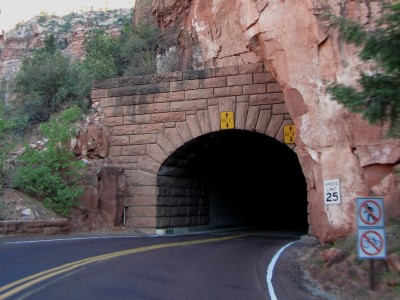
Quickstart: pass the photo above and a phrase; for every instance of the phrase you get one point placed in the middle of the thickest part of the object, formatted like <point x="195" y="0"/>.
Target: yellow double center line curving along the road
<point x="24" y="283"/>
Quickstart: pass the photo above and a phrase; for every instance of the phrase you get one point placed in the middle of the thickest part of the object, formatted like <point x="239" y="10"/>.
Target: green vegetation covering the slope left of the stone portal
<point x="51" y="91"/>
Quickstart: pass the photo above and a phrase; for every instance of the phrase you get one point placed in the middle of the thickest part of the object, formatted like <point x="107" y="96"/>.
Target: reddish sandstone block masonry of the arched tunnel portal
<point x="149" y="117"/>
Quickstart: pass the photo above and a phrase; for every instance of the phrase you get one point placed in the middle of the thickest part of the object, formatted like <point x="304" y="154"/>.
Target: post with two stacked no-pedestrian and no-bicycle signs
<point x="371" y="241"/>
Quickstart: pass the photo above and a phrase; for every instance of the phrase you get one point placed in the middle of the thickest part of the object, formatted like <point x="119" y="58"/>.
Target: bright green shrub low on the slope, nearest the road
<point x="53" y="174"/>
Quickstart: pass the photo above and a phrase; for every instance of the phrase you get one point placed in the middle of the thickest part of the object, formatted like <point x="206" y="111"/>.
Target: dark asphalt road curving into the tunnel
<point x="220" y="265"/>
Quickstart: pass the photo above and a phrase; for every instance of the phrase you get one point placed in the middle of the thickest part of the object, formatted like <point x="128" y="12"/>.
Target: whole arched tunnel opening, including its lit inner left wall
<point x="232" y="178"/>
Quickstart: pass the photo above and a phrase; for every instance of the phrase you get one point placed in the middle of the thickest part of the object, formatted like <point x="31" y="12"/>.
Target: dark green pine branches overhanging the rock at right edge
<point x="377" y="96"/>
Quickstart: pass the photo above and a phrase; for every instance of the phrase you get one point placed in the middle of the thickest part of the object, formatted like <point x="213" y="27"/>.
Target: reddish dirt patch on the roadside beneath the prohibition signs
<point x="335" y="271"/>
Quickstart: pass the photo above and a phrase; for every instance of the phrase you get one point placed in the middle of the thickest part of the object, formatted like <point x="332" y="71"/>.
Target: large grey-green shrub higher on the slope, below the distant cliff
<point x="44" y="83"/>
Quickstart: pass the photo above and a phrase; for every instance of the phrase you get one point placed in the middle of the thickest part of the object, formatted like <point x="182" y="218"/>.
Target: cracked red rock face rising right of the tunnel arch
<point x="305" y="54"/>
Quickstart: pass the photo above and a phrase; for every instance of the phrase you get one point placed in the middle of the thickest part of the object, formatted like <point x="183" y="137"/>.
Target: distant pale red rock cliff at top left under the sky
<point x="69" y="30"/>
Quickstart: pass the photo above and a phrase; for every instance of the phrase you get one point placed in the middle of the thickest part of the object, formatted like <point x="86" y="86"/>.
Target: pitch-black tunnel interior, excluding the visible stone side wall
<point x="250" y="179"/>
